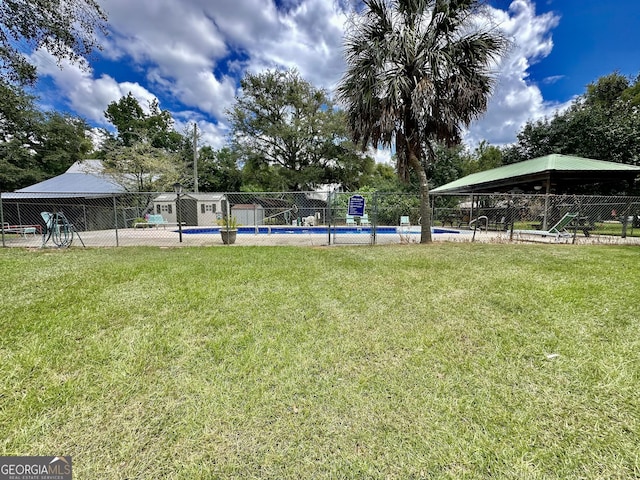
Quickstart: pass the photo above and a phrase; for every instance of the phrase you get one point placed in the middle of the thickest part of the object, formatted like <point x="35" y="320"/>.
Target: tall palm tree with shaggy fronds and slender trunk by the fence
<point x="418" y="72"/>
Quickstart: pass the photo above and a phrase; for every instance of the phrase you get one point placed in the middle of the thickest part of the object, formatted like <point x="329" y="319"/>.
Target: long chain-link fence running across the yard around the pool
<point x="308" y="218"/>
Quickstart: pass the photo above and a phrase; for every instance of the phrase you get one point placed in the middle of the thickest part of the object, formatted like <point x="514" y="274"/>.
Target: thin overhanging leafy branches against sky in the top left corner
<point x="67" y="29"/>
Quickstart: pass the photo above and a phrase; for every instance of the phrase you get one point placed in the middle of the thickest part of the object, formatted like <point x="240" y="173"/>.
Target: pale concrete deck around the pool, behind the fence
<point x="170" y="238"/>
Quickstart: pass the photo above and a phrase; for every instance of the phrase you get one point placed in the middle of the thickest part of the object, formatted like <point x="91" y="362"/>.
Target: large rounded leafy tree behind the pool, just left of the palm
<point x="289" y="135"/>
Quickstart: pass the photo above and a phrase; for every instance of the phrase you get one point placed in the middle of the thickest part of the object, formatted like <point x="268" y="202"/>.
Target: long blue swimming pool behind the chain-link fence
<point x="320" y="230"/>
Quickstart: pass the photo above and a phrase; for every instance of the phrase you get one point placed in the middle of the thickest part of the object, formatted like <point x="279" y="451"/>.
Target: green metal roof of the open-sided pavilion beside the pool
<point x="556" y="171"/>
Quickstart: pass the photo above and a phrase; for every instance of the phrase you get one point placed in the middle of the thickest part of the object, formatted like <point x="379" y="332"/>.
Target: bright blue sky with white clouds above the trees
<point x="191" y="54"/>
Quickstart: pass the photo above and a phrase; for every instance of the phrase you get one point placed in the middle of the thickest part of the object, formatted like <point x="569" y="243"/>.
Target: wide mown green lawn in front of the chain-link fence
<point x="445" y="361"/>
